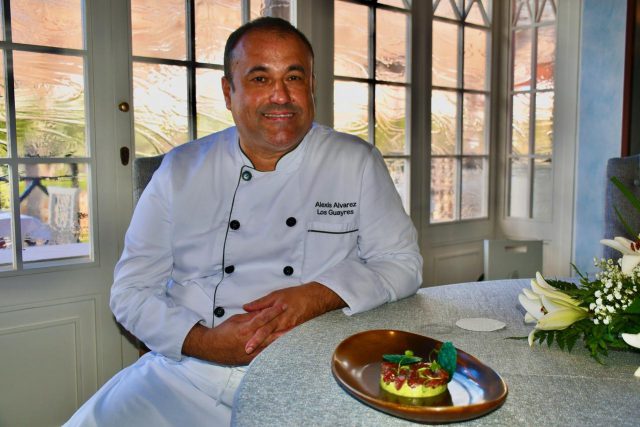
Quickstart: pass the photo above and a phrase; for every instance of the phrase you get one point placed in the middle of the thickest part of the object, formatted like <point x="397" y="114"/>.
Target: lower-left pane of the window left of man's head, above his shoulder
<point x="160" y="108"/>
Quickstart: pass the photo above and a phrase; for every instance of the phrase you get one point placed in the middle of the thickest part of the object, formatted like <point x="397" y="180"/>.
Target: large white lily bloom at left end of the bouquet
<point x="550" y="308"/>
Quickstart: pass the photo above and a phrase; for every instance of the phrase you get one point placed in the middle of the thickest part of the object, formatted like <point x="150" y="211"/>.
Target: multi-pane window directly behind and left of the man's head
<point x="178" y="48"/>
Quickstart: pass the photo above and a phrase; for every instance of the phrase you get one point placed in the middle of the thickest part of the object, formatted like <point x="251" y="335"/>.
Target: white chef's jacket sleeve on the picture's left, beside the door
<point x="138" y="295"/>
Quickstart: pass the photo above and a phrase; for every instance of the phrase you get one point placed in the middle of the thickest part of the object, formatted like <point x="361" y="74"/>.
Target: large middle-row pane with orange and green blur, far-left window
<point x="50" y="116"/>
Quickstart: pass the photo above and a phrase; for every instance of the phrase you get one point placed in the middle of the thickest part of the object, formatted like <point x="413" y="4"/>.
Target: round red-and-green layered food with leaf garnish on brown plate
<point x="408" y="375"/>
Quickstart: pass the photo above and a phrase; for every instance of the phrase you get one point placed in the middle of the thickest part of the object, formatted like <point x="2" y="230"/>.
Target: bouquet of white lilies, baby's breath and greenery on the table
<point x="604" y="312"/>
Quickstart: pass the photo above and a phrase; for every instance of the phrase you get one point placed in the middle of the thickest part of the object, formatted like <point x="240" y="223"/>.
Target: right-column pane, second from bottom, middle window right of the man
<point x="474" y="124"/>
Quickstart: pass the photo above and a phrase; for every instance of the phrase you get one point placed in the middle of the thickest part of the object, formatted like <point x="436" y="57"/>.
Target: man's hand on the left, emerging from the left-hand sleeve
<point x="226" y="344"/>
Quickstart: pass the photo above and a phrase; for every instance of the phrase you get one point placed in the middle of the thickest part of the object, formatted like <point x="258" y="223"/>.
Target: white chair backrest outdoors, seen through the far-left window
<point x="63" y="214"/>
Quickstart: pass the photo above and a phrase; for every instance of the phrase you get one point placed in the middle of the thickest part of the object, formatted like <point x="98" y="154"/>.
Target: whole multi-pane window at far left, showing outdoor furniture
<point x="45" y="148"/>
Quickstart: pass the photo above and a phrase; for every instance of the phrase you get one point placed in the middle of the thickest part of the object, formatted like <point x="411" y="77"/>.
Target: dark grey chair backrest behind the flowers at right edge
<point x="627" y="170"/>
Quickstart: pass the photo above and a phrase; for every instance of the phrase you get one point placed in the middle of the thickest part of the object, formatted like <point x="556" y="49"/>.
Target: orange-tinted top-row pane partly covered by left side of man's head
<point x="215" y="20"/>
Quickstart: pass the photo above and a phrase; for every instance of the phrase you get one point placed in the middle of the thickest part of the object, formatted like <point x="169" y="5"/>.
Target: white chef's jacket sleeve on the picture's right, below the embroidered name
<point x="388" y="265"/>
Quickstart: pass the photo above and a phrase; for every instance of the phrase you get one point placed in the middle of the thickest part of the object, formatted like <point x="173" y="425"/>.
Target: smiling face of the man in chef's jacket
<point x="272" y="95"/>
